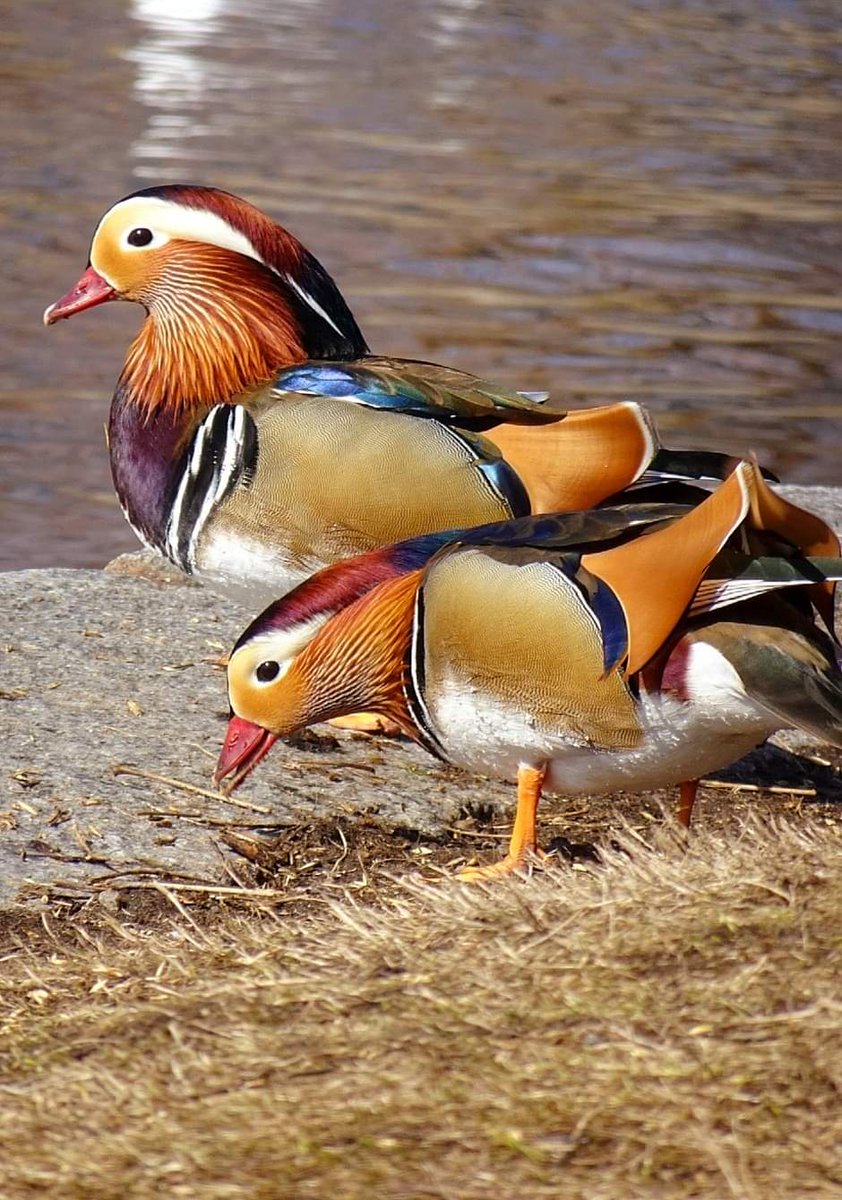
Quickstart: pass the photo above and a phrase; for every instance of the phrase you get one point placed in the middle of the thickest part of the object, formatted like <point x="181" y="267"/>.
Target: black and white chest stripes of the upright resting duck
<point x="222" y="454"/>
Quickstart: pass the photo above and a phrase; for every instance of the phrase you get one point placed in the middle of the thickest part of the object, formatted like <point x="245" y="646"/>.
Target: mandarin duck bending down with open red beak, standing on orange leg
<point x="620" y="650"/>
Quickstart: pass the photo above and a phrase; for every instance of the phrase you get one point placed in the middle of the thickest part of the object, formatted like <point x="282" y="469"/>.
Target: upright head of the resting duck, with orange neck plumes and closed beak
<point x="230" y="295"/>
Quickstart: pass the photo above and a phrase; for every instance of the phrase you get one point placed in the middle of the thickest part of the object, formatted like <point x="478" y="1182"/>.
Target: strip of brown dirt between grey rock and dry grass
<point x="303" y="866"/>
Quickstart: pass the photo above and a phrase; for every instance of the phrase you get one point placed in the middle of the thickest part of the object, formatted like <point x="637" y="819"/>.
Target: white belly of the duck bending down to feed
<point x="682" y="739"/>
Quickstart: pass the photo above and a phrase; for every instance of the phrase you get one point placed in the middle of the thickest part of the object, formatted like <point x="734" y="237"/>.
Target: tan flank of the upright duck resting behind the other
<point x="338" y="479"/>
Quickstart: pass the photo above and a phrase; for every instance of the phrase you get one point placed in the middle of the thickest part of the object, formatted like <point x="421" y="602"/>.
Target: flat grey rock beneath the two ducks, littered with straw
<point x="103" y="670"/>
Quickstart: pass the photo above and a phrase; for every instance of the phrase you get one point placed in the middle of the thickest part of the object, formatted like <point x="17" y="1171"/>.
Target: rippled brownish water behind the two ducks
<point x="610" y="200"/>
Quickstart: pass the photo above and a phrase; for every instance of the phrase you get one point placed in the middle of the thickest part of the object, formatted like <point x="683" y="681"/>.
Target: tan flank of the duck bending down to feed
<point x="503" y="632"/>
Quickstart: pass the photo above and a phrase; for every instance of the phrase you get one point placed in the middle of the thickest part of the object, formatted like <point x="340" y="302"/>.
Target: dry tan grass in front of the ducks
<point x="665" y="1025"/>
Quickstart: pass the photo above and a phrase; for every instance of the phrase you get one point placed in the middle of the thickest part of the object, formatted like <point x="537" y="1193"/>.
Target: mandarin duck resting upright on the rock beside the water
<point x="255" y="440"/>
